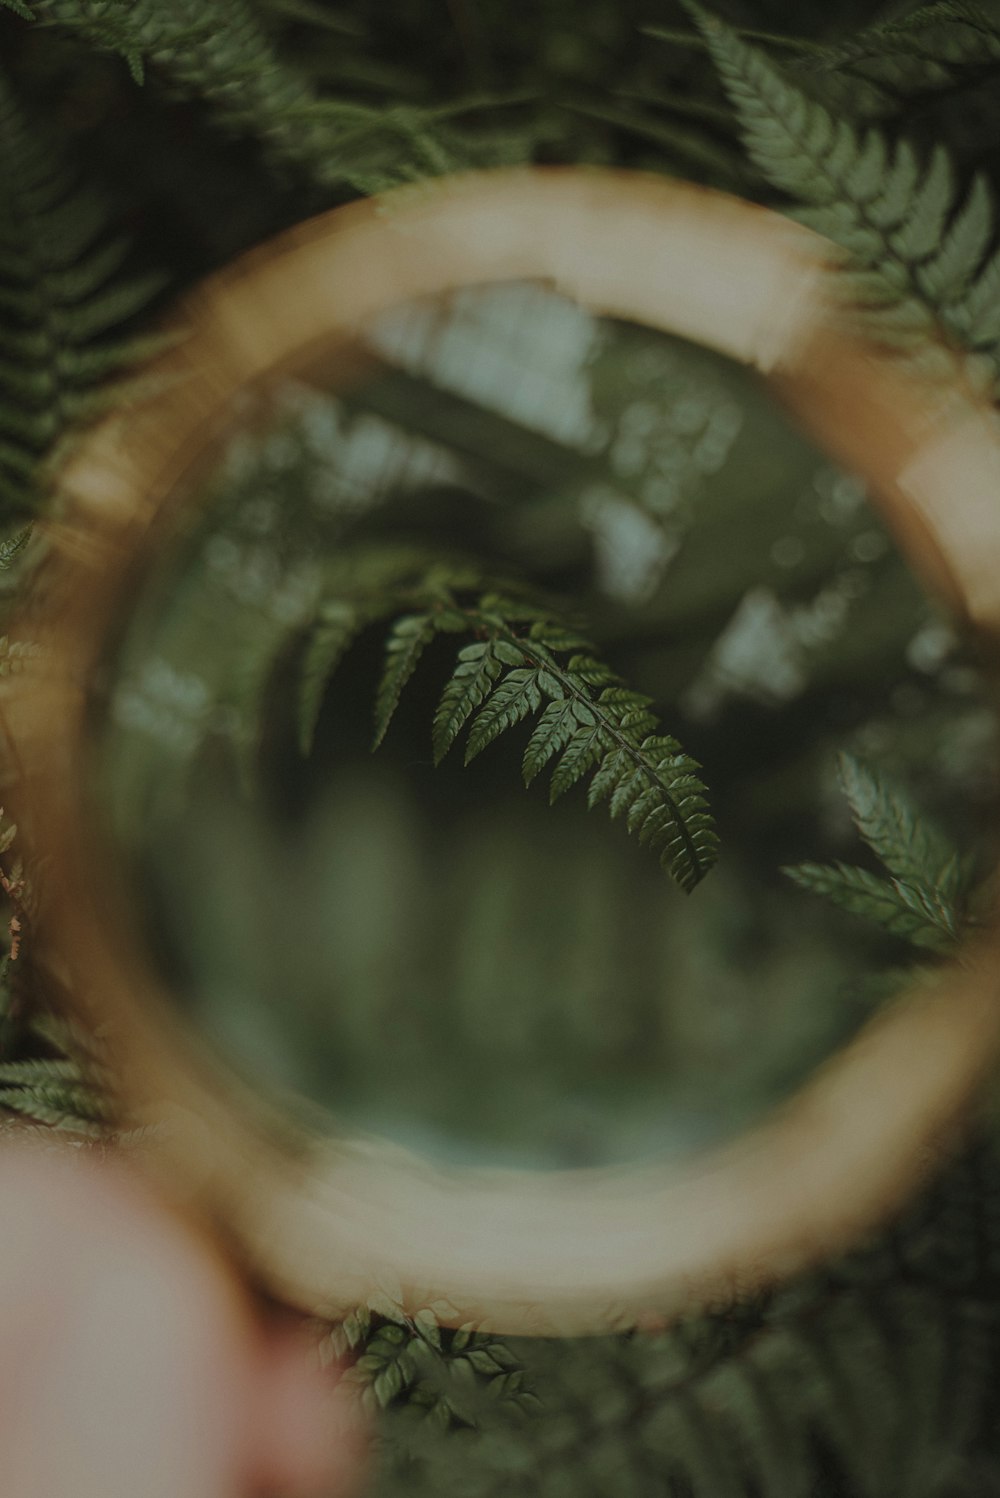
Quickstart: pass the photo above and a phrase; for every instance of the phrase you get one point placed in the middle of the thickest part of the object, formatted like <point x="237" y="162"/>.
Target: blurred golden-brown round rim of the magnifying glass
<point x="330" y="1225"/>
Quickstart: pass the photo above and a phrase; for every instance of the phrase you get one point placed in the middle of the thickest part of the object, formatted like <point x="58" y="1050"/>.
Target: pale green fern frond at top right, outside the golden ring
<point x="917" y="240"/>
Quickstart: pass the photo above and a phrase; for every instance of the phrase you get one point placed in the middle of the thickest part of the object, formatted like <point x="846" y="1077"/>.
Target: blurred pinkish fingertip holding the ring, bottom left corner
<point x="134" y="1364"/>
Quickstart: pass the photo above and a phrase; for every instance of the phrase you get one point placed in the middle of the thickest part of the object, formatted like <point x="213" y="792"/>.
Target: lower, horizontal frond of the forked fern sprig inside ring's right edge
<point x="902" y="910"/>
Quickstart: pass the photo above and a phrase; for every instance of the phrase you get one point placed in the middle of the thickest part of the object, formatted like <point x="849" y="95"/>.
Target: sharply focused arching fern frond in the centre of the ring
<point x="526" y="663"/>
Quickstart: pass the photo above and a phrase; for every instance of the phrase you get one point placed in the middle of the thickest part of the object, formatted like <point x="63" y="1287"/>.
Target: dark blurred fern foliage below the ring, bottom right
<point x="862" y="1380"/>
